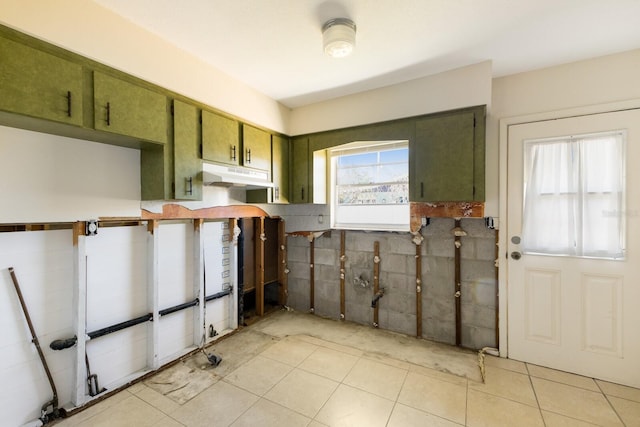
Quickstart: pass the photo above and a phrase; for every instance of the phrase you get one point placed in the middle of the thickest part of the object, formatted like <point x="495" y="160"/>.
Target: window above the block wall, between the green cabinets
<point x="370" y="185"/>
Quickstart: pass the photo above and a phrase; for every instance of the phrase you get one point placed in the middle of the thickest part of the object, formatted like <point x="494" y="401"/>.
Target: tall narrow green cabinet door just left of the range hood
<point x="187" y="179"/>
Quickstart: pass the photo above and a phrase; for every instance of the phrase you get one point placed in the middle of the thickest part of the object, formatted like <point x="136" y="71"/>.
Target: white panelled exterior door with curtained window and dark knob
<point x="574" y="313"/>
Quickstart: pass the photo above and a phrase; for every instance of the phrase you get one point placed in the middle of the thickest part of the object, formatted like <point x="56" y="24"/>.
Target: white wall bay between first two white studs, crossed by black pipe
<point x="117" y="292"/>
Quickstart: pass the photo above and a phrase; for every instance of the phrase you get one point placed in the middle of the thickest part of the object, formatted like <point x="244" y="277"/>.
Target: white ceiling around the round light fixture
<point x="275" y="46"/>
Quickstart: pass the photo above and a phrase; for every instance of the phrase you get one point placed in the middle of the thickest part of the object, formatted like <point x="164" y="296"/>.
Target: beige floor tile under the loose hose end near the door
<point x="508" y="384"/>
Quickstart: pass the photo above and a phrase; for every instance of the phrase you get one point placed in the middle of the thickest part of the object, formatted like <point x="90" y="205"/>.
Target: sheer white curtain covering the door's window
<point x="574" y="196"/>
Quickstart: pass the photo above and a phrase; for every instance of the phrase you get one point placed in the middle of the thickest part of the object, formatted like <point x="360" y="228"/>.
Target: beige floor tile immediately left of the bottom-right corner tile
<point x="574" y="402"/>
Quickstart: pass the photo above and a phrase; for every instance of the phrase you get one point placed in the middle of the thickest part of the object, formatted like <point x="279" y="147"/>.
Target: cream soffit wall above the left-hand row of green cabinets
<point x="86" y="28"/>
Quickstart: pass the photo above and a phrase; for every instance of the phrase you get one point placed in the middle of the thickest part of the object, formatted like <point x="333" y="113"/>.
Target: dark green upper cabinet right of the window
<point x="447" y="158"/>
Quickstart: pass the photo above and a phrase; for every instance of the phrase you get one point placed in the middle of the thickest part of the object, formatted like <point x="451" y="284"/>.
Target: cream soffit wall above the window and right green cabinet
<point x="462" y="87"/>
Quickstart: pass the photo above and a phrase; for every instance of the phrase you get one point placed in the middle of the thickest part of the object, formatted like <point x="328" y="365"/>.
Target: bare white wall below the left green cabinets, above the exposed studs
<point x="47" y="178"/>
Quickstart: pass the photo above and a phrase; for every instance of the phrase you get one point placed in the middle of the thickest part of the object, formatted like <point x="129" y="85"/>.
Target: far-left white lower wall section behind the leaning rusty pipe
<point x="42" y="262"/>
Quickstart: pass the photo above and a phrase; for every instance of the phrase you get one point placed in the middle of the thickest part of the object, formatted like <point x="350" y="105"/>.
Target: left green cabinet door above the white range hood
<point x="220" y="139"/>
